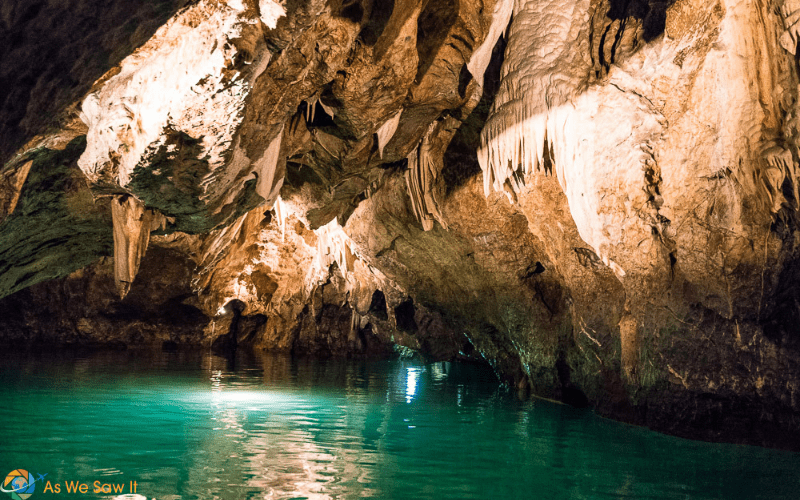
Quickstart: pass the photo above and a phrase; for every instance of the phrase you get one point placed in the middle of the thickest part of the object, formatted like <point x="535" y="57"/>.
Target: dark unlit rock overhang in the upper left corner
<point x="54" y="50"/>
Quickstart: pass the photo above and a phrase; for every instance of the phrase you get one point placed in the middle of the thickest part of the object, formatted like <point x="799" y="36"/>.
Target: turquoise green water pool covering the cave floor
<point x="188" y="426"/>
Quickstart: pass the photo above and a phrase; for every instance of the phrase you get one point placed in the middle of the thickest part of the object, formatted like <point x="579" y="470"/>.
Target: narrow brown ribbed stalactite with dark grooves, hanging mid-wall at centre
<point x="421" y="176"/>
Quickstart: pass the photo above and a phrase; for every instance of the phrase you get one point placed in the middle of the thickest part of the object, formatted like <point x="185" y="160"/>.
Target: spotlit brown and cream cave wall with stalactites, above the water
<point x="597" y="198"/>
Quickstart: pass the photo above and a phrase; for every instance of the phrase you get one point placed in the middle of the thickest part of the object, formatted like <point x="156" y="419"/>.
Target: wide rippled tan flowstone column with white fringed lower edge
<point x="541" y="72"/>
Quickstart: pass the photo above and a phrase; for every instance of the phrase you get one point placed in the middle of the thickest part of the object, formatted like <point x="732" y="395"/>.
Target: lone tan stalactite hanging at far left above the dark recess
<point x="132" y="226"/>
